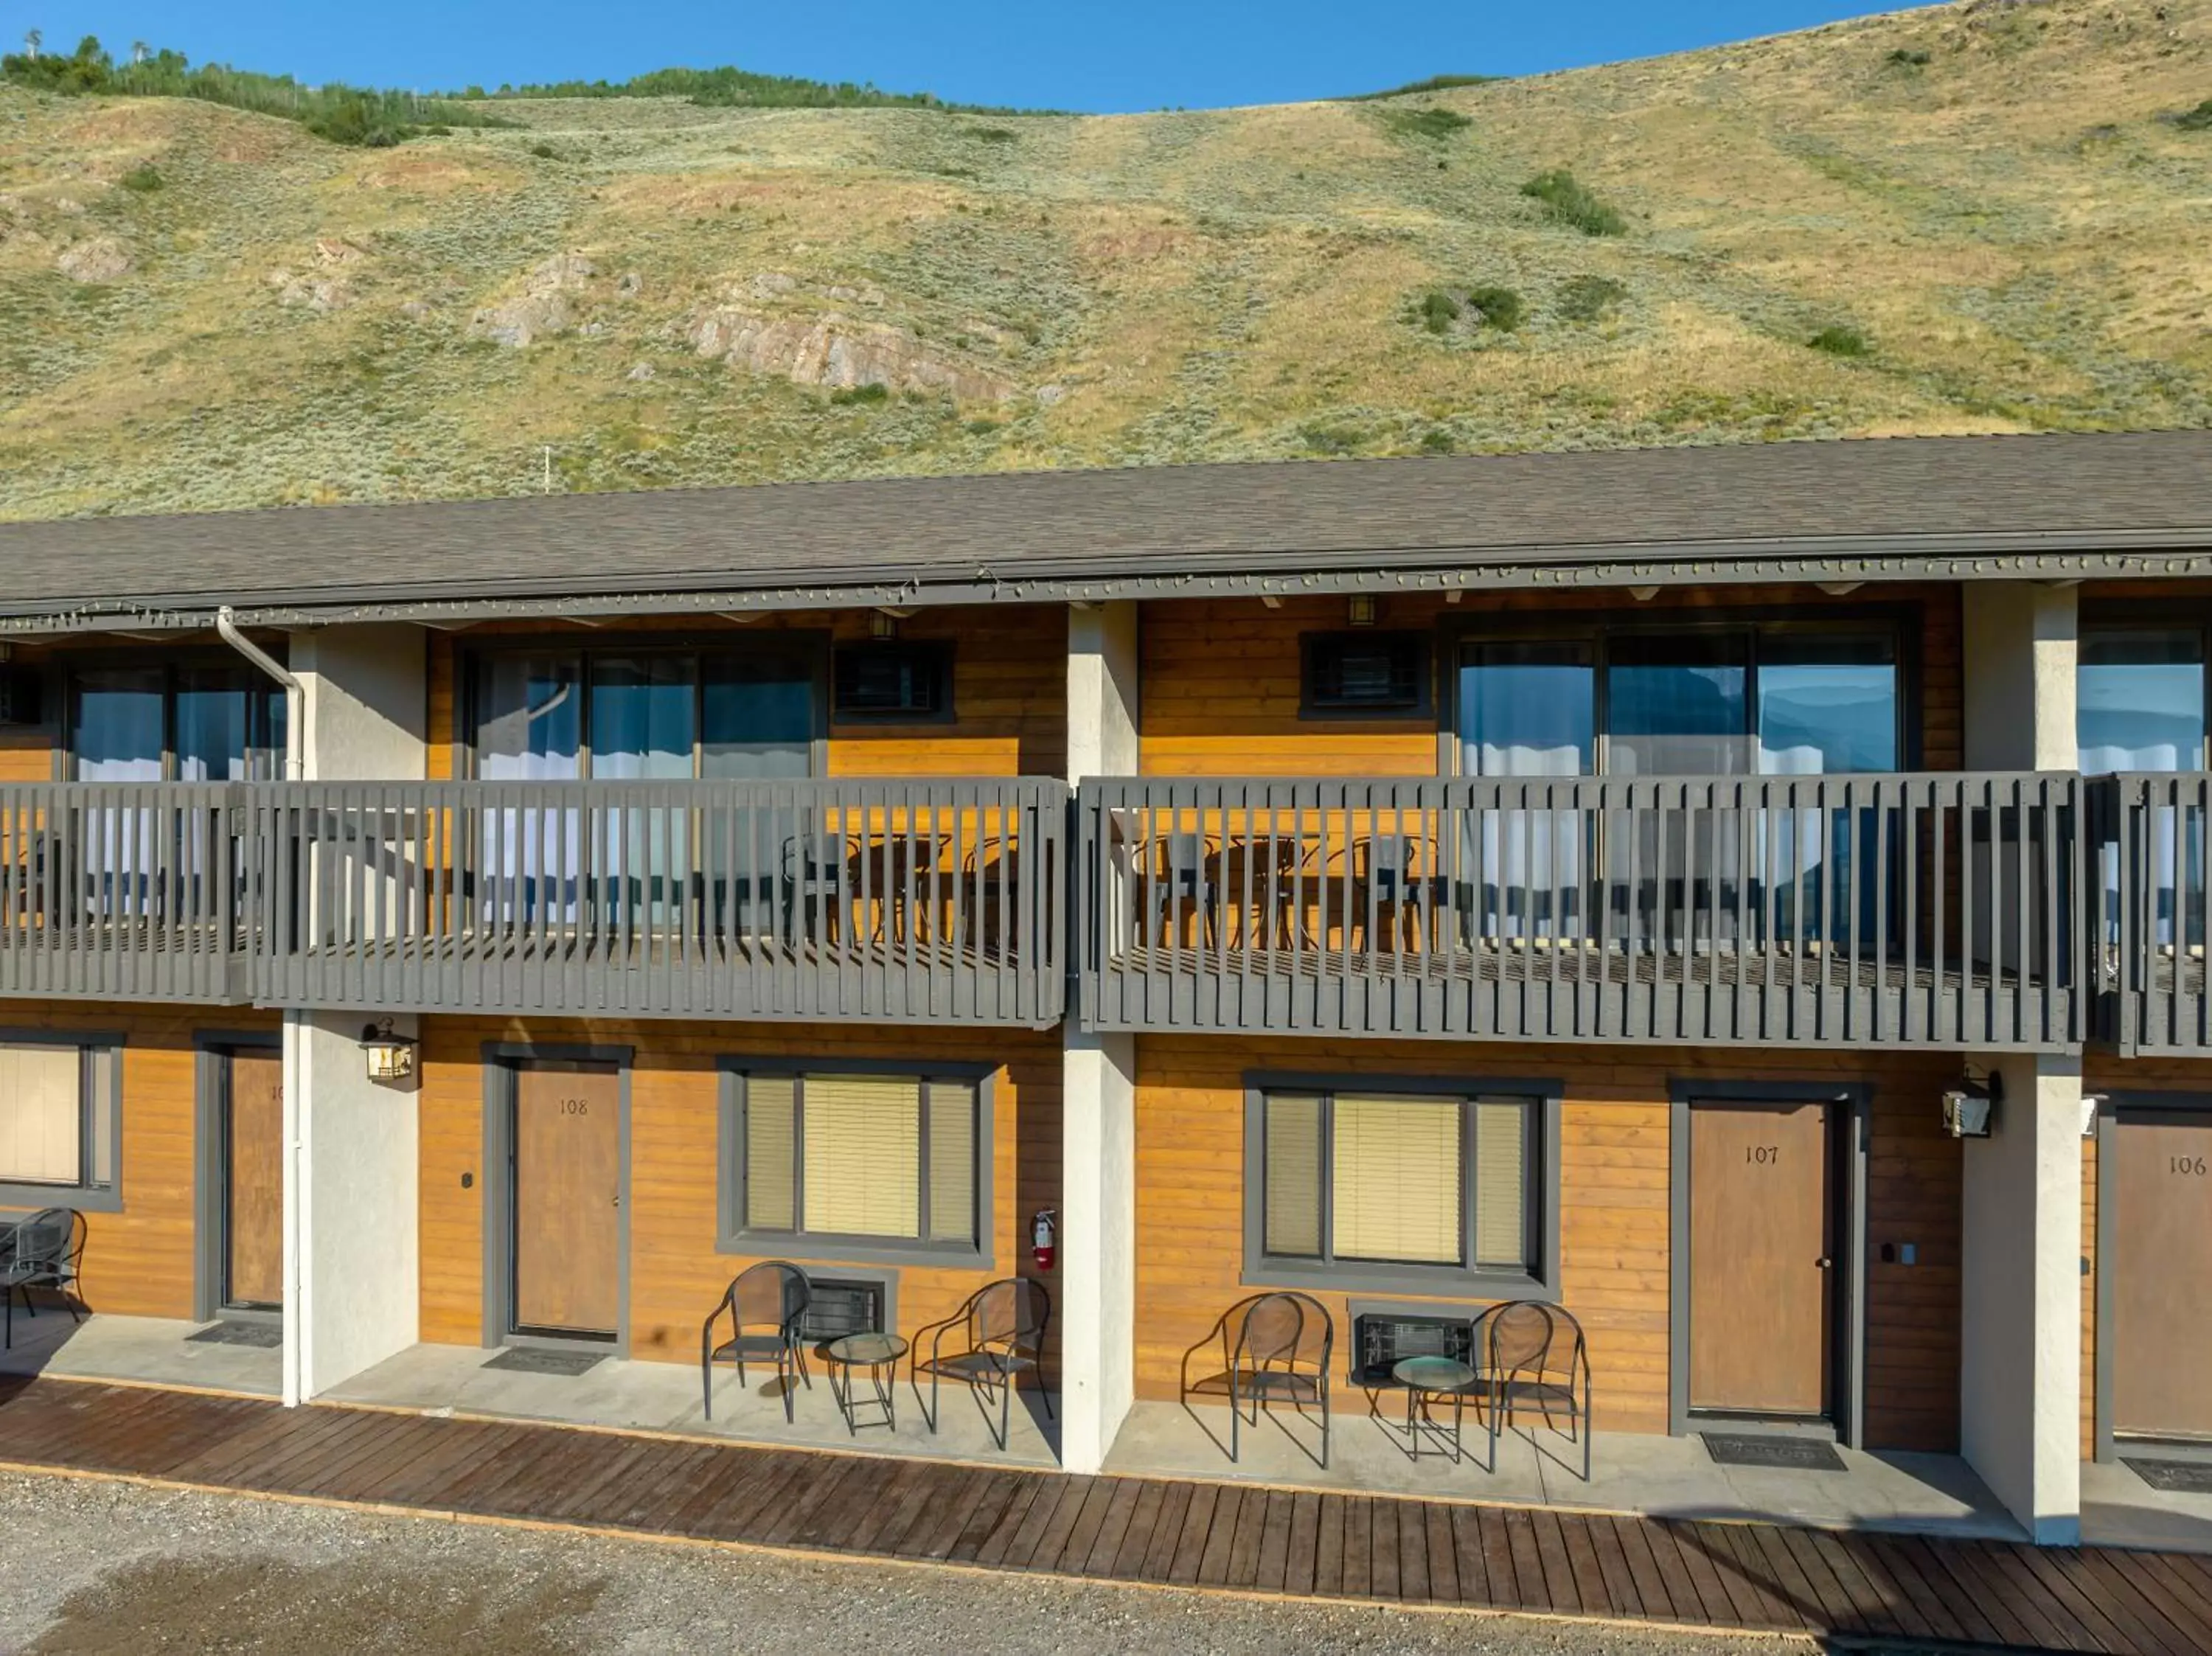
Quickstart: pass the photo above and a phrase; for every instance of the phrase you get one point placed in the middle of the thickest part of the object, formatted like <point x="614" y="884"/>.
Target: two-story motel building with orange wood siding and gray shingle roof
<point x="1749" y="901"/>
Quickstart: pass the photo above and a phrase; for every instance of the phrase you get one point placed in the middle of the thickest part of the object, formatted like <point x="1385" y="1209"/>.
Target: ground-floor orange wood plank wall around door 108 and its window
<point x="676" y="1270"/>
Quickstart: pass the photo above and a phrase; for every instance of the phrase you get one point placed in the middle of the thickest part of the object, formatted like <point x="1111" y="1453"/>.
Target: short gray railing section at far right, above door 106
<point x="2156" y="841"/>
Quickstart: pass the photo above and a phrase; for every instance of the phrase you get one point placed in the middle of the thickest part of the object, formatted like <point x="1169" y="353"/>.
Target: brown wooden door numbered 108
<point x="567" y="1186"/>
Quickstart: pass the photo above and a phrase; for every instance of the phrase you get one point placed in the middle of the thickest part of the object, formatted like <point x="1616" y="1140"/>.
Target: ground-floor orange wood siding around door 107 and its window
<point x="1614" y="1193"/>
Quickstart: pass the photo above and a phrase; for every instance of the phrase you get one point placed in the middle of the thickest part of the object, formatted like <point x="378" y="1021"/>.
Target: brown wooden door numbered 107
<point x="1762" y="1259"/>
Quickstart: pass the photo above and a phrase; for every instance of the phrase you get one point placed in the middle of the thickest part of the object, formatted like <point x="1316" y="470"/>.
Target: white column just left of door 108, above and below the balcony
<point x="351" y="1186"/>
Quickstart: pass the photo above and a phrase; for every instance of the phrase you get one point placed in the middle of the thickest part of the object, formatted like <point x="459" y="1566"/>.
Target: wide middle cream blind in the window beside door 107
<point x="1397" y="1180"/>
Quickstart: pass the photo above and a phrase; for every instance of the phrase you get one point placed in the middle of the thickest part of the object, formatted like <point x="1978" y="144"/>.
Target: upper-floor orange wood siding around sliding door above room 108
<point x="1010" y="689"/>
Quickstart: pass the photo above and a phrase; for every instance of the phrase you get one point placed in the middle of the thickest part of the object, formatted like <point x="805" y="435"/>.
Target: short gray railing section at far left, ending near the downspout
<point x="123" y="892"/>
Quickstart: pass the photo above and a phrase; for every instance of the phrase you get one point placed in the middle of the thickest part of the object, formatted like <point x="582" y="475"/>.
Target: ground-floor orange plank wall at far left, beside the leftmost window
<point x="140" y="1261"/>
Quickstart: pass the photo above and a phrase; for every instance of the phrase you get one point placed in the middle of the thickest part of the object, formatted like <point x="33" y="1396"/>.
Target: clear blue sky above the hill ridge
<point x="1061" y="54"/>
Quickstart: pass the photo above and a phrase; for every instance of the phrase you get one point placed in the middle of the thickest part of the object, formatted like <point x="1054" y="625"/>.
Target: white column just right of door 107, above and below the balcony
<point x="2021" y="1270"/>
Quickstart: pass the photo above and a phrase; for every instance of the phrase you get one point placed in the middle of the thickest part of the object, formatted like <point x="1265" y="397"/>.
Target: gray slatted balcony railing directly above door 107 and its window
<point x="1755" y="910"/>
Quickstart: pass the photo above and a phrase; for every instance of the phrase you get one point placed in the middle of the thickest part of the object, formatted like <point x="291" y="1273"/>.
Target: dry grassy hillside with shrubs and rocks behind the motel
<point x="1990" y="216"/>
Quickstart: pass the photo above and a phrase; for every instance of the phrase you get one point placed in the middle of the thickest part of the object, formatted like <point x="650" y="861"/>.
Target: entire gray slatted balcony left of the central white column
<point x="897" y="901"/>
